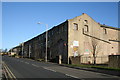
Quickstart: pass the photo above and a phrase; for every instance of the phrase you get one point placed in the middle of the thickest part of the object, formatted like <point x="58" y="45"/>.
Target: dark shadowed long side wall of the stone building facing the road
<point x="57" y="44"/>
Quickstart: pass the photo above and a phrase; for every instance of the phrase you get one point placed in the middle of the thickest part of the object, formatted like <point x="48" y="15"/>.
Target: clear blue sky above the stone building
<point x="19" y="19"/>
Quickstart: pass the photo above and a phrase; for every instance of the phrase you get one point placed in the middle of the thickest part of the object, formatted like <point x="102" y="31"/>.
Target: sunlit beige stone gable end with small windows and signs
<point x="92" y="40"/>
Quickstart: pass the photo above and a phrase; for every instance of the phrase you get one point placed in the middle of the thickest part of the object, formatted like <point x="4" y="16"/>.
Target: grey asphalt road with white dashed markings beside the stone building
<point x="26" y="68"/>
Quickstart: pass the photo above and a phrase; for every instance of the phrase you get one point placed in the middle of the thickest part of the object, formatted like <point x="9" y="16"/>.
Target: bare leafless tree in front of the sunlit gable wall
<point x="95" y="49"/>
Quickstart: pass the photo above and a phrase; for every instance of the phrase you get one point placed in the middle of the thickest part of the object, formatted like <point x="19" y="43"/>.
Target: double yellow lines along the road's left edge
<point x="7" y="72"/>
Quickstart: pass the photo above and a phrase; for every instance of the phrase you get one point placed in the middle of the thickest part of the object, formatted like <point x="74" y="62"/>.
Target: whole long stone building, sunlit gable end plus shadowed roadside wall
<point x="77" y="40"/>
